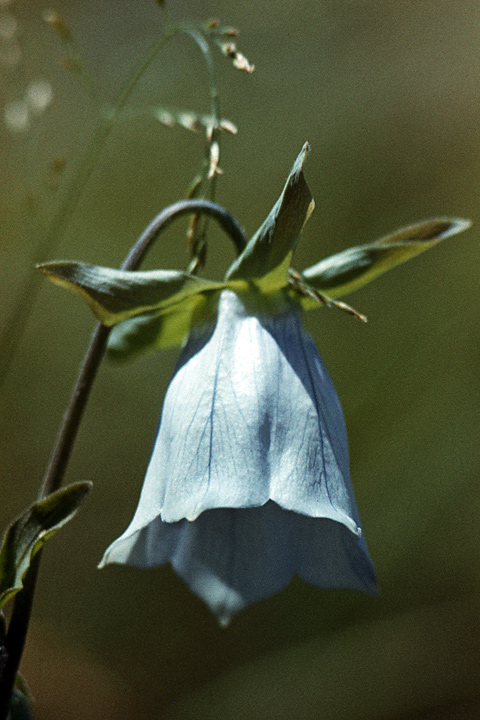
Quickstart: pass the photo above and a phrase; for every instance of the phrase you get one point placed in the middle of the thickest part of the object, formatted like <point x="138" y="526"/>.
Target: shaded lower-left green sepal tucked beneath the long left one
<point x="156" y="332"/>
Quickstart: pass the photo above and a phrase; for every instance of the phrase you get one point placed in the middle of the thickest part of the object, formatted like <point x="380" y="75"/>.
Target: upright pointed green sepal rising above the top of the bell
<point x="268" y="254"/>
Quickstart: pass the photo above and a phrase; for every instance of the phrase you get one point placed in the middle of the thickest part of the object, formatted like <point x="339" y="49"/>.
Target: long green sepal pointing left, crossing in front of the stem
<point x="116" y="295"/>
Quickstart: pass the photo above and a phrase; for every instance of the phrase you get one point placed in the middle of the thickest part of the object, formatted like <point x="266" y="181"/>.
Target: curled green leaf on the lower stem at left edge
<point x="28" y="533"/>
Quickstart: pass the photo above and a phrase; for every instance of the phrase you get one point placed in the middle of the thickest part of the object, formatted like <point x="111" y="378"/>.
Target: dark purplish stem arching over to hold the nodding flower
<point x="18" y="627"/>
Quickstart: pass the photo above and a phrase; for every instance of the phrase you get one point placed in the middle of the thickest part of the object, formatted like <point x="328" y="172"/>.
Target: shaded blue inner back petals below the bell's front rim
<point x="232" y="558"/>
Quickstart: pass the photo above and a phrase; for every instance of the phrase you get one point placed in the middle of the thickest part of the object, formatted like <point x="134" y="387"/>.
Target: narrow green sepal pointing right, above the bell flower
<point x="349" y="270"/>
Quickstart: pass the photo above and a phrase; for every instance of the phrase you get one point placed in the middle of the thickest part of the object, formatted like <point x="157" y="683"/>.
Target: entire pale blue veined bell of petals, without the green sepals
<point x="249" y="481"/>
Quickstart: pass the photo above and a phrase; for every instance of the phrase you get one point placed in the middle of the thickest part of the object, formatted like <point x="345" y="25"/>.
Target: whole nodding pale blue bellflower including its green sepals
<point x="248" y="483"/>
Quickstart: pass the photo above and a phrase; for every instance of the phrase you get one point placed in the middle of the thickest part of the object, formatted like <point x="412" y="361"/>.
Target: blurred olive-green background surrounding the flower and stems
<point x="388" y="95"/>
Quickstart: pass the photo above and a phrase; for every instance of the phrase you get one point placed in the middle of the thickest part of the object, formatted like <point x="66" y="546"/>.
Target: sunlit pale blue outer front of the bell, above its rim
<point x="250" y="415"/>
